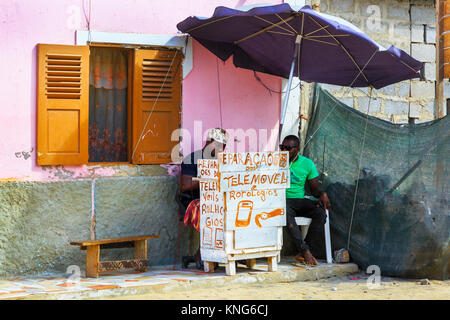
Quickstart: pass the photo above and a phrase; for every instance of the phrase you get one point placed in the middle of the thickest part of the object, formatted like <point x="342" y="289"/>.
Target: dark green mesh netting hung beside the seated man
<point x="401" y="219"/>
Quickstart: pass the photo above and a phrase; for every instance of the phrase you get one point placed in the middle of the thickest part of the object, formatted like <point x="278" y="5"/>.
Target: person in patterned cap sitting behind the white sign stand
<point x="190" y="193"/>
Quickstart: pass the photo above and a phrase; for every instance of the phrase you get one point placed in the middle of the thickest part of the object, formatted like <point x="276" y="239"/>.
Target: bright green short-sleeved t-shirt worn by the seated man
<point x="302" y="169"/>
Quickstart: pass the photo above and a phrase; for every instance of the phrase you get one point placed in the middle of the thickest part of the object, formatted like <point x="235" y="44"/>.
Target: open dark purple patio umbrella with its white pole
<point x="313" y="46"/>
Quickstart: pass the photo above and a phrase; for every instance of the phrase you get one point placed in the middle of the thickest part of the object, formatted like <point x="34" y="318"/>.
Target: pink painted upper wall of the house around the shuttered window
<point x="23" y="24"/>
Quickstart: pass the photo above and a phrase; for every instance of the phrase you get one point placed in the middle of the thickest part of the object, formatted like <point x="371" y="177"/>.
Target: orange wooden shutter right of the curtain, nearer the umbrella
<point x="156" y="94"/>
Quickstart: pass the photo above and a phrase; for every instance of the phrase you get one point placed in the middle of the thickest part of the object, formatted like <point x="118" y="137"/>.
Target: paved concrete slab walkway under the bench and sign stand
<point x="161" y="279"/>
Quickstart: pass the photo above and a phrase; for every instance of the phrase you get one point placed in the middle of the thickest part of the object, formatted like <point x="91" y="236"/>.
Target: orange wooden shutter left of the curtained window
<point x="62" y="104"/>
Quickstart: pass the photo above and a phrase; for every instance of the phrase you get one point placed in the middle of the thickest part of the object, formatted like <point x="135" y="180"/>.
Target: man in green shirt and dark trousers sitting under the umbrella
<point x="303" y="170"/>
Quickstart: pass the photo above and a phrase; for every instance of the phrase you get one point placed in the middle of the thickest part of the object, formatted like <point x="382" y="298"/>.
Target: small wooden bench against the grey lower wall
<point x="92" y="247"/>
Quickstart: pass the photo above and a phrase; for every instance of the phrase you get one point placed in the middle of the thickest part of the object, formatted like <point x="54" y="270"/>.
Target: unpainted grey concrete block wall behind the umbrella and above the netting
<point x="409" y="25"/>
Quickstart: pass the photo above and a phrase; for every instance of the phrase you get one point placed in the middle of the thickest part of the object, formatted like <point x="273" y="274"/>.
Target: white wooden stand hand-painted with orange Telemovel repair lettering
<point x="243" y="208"/>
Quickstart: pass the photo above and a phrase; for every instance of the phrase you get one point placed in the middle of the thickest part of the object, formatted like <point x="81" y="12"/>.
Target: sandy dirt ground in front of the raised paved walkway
<point x="352" y="287"/>
